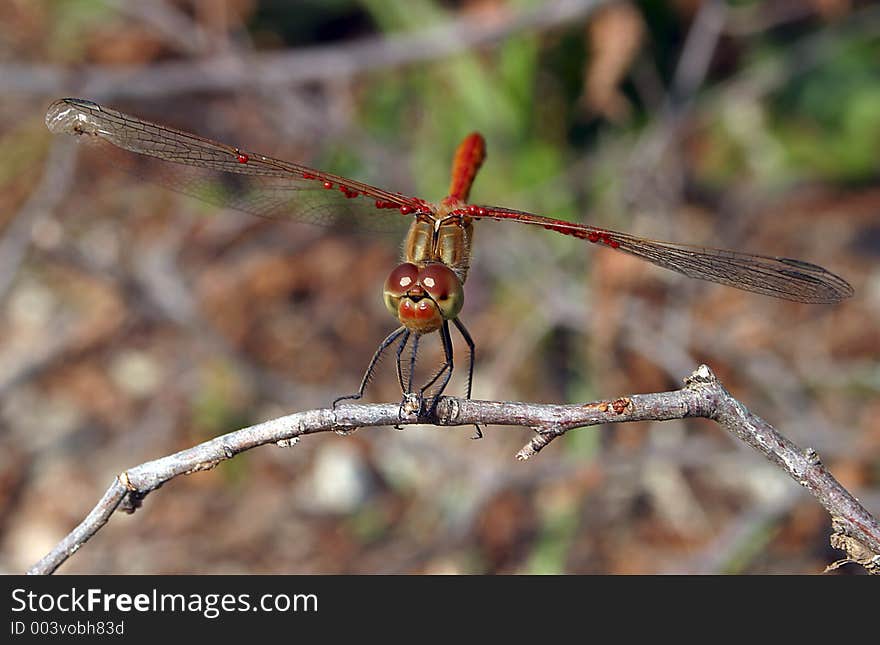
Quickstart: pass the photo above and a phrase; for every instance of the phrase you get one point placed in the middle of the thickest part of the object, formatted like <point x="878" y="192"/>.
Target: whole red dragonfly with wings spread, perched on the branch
<point x="425" y="292"/>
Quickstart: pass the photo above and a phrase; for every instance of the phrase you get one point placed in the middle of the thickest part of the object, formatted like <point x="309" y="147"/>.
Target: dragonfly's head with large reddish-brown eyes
<point x="422" y="298"/>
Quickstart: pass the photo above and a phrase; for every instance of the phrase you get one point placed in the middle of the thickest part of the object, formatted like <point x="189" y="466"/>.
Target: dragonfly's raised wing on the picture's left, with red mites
<point x="228" y="176"/>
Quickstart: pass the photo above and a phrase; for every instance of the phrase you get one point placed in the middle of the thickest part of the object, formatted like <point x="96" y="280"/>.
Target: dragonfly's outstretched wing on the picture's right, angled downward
<point x="772" y="276"/>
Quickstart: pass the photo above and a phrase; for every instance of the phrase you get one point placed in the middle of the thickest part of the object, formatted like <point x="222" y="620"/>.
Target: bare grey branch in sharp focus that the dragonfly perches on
<point x="855" y="530"/>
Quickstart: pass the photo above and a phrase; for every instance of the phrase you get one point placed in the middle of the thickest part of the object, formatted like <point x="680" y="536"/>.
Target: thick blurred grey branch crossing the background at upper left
<point x="290" y="68"/>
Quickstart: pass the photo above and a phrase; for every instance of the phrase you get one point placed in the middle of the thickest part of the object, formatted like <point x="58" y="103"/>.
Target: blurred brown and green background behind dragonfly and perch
<point x="136" y="322"/>
